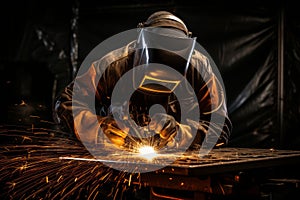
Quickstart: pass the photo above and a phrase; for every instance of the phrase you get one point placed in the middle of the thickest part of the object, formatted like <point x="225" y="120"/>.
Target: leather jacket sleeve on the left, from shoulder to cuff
<point x="87" y="111"/>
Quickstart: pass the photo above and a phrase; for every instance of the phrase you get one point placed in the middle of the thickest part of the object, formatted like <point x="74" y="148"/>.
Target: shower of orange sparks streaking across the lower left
<point x="31" y="167"/>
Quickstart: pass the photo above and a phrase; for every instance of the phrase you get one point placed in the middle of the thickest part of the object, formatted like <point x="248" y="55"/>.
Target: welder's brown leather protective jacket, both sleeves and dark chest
<point x="110" y="68"/>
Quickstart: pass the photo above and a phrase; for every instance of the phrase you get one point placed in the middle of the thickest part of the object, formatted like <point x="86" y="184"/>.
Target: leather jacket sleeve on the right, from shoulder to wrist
<point x="212" y="102"/>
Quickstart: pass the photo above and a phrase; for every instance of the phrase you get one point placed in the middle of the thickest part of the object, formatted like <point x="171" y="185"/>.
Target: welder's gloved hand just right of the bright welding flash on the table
<point x="165" y="126"/>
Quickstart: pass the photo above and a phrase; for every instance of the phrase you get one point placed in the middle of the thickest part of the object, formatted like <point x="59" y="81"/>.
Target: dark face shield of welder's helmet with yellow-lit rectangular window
<point x="161" y="60"/>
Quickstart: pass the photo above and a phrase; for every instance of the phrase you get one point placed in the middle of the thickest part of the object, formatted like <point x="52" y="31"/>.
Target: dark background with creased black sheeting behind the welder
<point x="255" y="45"/>
